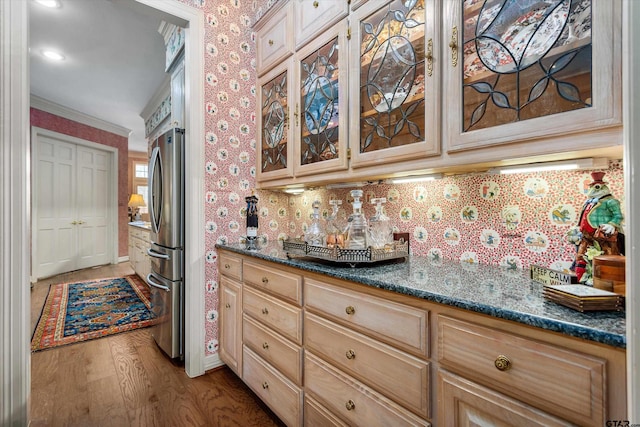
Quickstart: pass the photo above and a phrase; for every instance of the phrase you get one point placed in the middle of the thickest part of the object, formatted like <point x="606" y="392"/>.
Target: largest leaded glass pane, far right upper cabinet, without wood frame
<point x="524" y="59"/>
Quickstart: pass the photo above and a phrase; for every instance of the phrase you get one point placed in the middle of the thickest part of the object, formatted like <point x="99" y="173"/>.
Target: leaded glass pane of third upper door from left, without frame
<point x="392" y="55"/>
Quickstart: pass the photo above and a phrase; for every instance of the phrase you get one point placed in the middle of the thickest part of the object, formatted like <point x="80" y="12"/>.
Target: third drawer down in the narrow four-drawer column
<point x="280" y="352"/>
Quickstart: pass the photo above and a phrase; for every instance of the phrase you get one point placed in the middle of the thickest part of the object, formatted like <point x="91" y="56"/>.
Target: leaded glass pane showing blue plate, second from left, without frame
<point x="319" y="100"/>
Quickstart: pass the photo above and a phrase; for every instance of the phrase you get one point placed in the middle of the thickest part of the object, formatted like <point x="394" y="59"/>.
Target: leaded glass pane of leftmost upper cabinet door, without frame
<point x="274" y="124"/>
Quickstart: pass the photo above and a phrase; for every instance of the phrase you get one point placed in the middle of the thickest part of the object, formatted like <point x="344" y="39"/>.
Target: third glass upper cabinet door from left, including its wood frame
<point x="393" y="82"/>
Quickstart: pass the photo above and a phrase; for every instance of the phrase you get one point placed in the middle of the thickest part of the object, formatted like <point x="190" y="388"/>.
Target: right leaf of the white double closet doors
<point x="93" y="207"/>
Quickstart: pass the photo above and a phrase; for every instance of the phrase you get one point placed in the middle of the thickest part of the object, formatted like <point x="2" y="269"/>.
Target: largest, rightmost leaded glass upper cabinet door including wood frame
<point x="518" y="70"/>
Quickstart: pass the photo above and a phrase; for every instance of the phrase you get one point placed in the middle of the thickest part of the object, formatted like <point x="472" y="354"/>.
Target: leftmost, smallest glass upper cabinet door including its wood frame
<point x="275" y="151"/>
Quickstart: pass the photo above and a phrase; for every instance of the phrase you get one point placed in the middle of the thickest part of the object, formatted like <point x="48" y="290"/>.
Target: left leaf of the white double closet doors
<point x="55" y="191"/>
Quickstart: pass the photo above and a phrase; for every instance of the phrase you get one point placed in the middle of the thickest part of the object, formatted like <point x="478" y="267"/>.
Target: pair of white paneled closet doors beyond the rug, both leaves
<point x="74" y="203"/>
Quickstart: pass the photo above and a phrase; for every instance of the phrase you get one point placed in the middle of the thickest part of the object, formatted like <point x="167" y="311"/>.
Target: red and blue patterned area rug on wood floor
<point x="75" y="312"/>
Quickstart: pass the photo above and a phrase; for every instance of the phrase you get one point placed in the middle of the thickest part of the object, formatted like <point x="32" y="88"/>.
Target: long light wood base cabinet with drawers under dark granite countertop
<point x="322" y="351"/>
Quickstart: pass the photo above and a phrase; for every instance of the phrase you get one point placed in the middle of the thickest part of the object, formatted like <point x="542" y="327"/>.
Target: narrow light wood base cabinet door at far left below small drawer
<point x="231" y="324"/>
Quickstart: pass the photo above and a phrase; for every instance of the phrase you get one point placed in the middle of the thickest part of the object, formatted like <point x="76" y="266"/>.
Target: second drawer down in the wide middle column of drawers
<point x="397" y="375"/>
